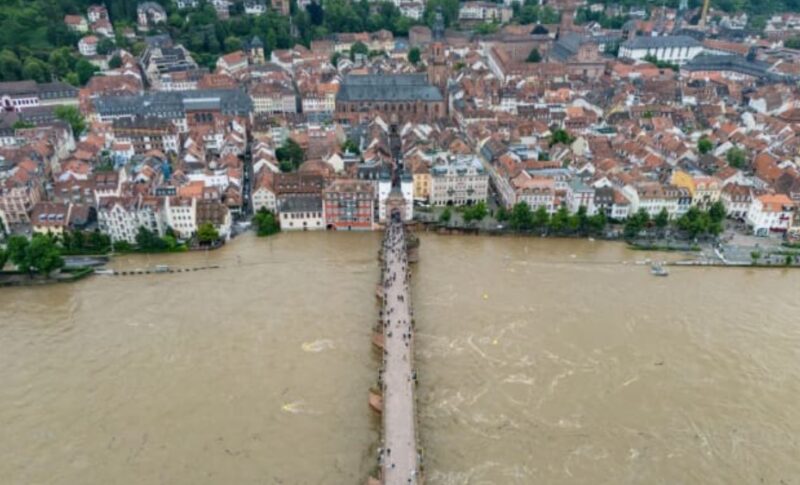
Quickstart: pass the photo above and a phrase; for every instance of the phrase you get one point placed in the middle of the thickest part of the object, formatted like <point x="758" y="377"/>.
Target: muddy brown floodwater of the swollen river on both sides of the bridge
<point x="540" y="361"/>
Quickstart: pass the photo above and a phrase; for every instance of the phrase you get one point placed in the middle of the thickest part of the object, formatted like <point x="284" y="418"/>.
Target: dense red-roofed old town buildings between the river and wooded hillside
<point x="659" y="115"/>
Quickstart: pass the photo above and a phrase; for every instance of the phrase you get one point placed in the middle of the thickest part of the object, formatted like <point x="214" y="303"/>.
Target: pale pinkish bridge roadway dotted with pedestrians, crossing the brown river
<point x="399" y="456"/>
